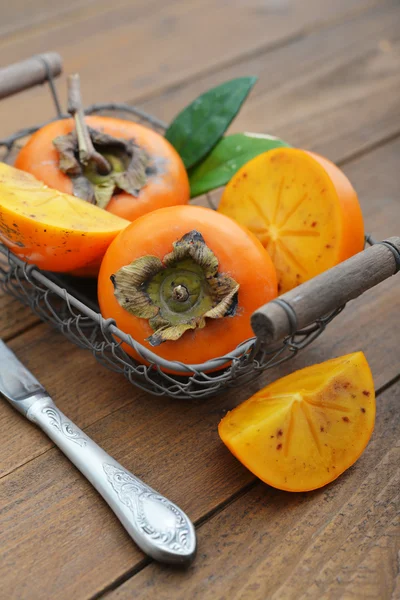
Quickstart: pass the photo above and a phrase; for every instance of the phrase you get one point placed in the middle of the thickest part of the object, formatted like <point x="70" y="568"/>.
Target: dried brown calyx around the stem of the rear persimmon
<point x="128" y="162"/>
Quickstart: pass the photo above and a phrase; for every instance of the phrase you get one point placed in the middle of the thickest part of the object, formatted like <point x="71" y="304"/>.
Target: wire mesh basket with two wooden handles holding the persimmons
<point x="70" y="304"/>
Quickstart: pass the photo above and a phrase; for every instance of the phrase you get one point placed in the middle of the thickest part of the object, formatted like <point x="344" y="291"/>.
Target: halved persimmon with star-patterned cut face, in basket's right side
<point x="301" y="207"/>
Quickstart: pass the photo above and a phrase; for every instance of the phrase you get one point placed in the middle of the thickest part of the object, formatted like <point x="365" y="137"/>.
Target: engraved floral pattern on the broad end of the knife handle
<point x="140" y="499"/>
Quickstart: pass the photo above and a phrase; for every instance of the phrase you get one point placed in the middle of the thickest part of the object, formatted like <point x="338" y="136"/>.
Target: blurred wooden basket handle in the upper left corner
<point x="27" y="73"/>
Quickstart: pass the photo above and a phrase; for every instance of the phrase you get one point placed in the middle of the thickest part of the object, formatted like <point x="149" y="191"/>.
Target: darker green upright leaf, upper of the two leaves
<point x="196" y="130"/>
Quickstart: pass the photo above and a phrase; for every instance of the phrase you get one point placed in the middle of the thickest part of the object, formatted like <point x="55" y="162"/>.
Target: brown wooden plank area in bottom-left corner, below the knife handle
<point x="48" y="527"/>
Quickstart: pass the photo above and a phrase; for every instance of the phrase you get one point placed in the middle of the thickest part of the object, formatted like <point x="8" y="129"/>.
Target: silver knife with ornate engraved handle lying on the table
<point x="159" y="527"/>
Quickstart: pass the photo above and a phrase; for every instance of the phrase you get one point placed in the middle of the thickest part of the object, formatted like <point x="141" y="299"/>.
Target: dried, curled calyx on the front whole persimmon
<point x="179" y="292"/>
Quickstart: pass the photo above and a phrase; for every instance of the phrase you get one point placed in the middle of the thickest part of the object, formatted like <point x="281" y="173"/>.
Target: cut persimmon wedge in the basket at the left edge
<point x="53" y="230"/>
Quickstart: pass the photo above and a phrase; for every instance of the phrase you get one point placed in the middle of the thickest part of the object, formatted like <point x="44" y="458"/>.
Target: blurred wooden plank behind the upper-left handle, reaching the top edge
<point x="121" y="43"/>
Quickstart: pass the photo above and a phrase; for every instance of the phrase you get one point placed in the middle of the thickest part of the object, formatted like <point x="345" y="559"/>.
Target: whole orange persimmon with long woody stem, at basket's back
<point x="124" y="167"/>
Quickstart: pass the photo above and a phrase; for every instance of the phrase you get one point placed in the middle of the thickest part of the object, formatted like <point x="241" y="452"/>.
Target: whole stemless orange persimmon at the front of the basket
<point x="183" y="281"/>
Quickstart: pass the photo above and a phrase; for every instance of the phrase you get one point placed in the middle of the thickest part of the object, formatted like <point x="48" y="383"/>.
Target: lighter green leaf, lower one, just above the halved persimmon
<point x="228" y="156"/>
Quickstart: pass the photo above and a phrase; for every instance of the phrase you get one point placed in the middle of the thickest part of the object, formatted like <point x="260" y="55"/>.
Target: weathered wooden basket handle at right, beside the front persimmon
<point x="321" y="295"/>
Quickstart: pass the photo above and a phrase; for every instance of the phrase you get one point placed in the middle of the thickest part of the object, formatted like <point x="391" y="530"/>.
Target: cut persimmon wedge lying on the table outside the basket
<point x="302" y="431"/>
